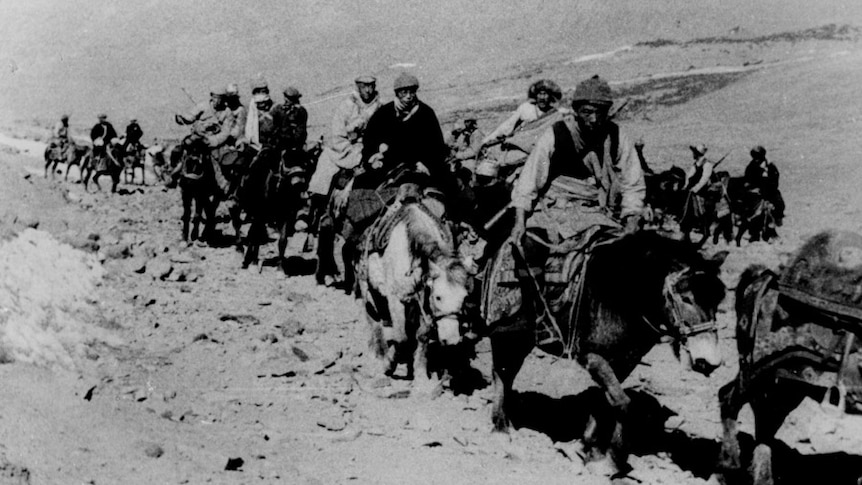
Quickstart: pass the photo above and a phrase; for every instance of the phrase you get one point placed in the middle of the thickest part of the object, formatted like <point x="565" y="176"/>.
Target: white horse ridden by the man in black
<point x="414" y="287"/>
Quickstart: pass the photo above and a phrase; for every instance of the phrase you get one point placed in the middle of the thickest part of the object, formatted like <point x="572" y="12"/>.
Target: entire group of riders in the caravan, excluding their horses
<point x="582" y="169"/>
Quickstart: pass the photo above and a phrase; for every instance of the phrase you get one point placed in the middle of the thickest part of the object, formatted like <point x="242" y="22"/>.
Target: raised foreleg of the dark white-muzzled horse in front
<point x="604" y="375"/>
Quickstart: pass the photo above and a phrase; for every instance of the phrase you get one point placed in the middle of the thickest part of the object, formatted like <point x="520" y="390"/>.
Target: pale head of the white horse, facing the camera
<point x="446" y="288"/>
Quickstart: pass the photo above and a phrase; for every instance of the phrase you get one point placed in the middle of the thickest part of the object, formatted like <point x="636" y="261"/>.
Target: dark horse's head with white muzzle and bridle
<point x="692" y="296"/>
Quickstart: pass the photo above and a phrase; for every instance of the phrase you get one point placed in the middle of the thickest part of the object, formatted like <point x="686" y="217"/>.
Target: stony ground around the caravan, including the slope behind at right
<point x="134" y="359"/>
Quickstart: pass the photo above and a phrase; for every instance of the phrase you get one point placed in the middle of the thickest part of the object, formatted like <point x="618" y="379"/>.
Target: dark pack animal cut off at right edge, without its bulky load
<point x="790" y="347"/>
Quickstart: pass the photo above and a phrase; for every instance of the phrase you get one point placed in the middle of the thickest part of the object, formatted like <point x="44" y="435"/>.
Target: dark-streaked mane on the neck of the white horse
<point x="430" y="241"/>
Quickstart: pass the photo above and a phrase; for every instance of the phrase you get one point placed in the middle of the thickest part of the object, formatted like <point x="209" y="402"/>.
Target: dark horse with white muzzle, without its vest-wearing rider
<point x="635" y="290"/>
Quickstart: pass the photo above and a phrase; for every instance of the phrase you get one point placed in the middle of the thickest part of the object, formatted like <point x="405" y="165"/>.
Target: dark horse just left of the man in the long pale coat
<point x="272" y="191"/>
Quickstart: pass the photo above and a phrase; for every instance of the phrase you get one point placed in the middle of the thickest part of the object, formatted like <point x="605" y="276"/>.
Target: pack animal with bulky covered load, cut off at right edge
<point x="798" y="334"/>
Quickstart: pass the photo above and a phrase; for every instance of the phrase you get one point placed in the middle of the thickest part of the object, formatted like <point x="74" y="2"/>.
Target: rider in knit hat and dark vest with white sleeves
<point x="583" y="172"/>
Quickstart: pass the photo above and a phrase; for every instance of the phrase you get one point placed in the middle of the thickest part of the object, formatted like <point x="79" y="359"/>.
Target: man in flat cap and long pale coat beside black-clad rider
<point x="341" y="154"/>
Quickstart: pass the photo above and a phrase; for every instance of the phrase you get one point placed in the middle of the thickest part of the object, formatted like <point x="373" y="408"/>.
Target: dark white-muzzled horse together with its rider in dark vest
<point x="585" y="283"/>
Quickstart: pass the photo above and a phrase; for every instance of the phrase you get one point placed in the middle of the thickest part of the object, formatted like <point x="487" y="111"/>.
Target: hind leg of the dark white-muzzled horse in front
<point x="510" y="345"/>
